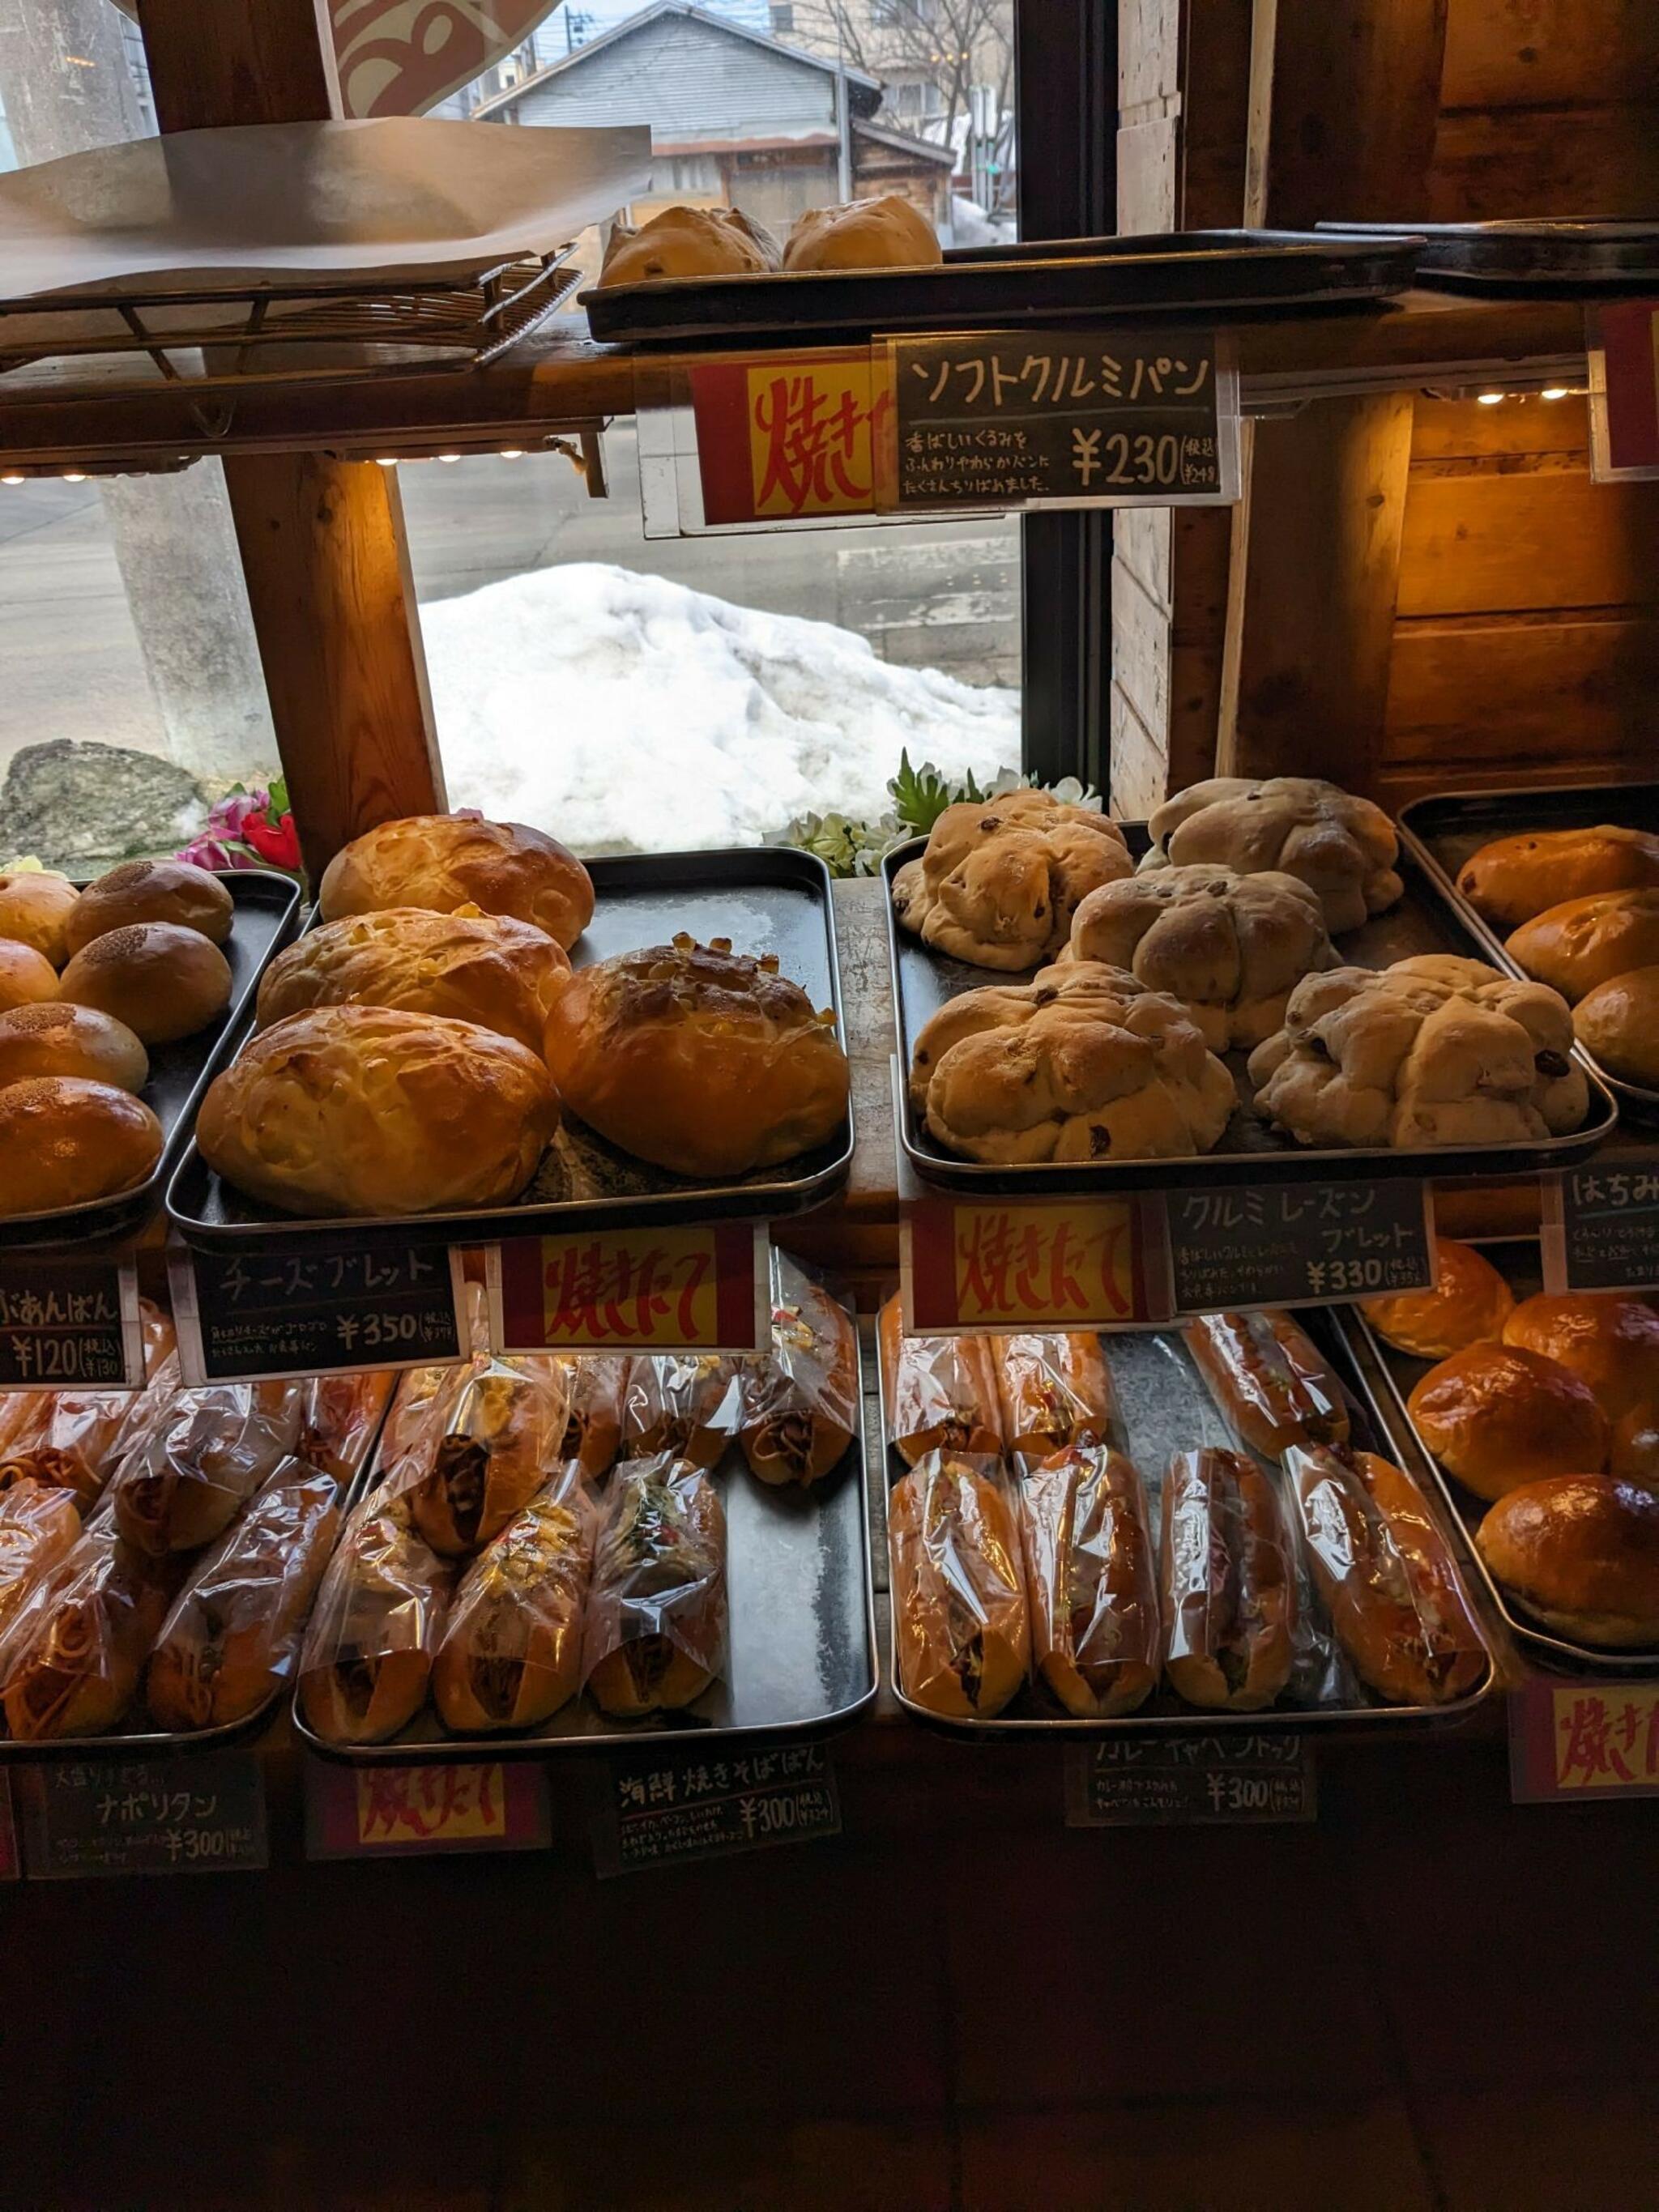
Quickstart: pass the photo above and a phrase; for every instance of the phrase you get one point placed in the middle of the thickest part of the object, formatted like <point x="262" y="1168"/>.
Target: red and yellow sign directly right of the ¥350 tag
<point x="693" y="1288"/>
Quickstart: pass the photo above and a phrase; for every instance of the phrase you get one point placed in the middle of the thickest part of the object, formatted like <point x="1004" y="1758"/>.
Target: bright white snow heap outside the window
<point x="629" y="713"/>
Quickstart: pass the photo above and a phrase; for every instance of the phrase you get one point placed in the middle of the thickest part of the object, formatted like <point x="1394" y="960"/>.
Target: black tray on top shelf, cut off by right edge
<point x="1536" y="258"/>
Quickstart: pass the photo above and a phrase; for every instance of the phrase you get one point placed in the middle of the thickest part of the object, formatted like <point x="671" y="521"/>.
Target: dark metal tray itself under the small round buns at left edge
<point x="264" y="921"/>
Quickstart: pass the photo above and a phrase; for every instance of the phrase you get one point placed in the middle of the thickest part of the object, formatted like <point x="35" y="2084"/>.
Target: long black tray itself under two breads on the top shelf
<point x="1220" y="273"/>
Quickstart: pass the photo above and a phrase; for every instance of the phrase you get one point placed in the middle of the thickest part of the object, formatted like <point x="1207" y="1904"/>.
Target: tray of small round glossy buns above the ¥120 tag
<point x="118" y="1005"/>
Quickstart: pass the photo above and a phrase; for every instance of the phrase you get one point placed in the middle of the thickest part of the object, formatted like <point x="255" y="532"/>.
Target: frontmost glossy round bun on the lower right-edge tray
<point x="1583" y="1556"/>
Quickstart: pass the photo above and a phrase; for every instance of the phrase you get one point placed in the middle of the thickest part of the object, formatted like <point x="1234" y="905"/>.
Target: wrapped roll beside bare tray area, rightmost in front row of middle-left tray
<point x="656" y="1629"/>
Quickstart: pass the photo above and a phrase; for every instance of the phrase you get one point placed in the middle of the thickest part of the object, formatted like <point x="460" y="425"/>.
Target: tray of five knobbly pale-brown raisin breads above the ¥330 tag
<point x="1089" y="1005"/>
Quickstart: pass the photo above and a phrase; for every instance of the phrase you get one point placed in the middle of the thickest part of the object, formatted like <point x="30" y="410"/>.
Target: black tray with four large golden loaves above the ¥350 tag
<point x="713" y="957"/>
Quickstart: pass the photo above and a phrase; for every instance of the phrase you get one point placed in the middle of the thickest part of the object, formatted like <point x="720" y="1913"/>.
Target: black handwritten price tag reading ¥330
<point x="1300" y="1244"/>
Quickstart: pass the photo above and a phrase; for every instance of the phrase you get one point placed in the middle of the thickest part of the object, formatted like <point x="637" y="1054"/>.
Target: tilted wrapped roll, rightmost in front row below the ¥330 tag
<point x="1386" y="1576"/>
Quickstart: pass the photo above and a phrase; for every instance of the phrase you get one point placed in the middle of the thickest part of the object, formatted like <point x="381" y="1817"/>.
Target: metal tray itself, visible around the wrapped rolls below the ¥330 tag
<point x="1162" y="1408"/>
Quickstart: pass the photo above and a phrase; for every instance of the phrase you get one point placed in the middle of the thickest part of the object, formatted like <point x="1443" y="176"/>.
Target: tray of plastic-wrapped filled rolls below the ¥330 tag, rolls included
<point x="1162" y="1532"/>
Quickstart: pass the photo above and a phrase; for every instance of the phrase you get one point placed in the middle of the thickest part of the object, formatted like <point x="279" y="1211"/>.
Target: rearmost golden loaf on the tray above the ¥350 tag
<point x="448" y="862"/>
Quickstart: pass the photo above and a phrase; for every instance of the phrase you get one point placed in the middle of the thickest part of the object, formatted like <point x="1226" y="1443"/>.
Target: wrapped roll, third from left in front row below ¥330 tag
<point x="1229" y="1583"/>
